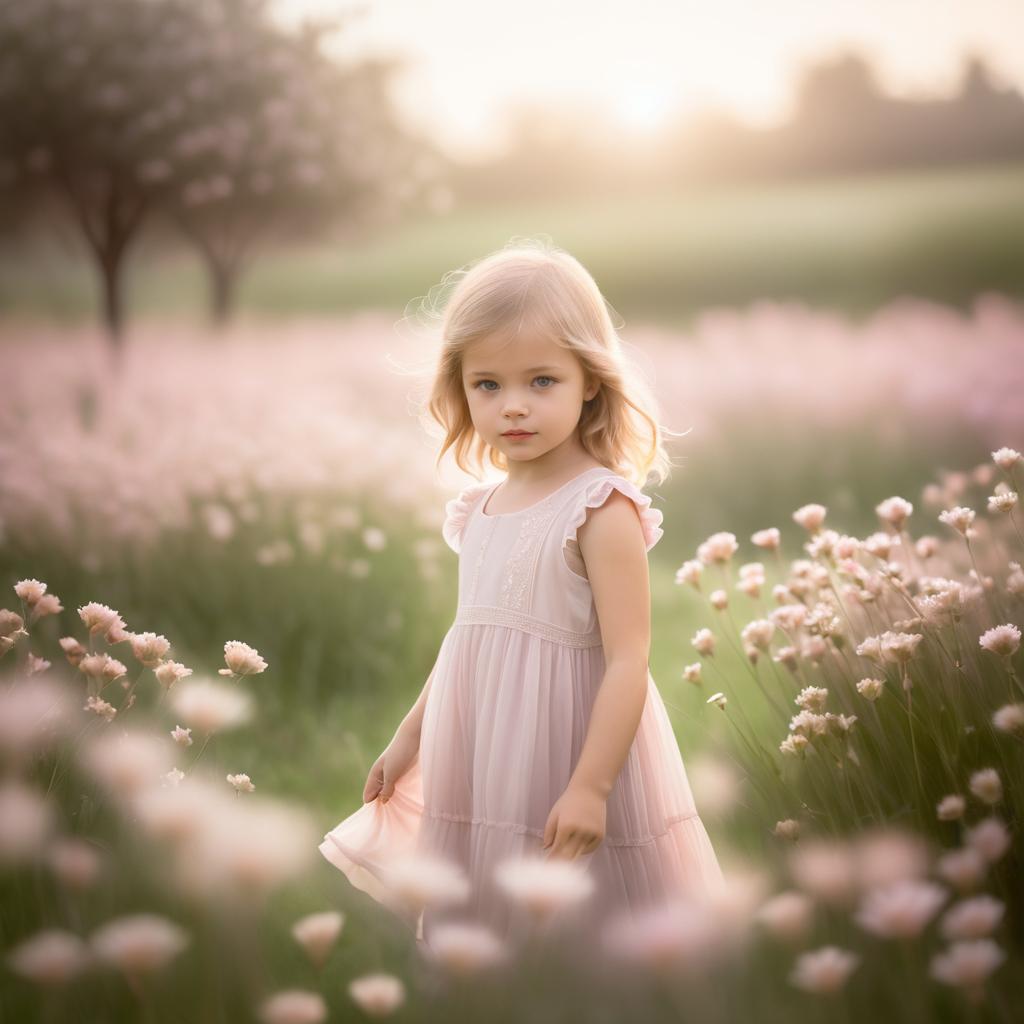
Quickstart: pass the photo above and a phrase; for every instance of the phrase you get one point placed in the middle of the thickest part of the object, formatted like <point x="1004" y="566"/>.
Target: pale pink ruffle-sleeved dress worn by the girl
<point x="506" y="719"/>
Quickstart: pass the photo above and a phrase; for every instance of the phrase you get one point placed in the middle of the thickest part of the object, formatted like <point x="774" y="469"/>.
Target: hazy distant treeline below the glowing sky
<point x="843" y="122"/>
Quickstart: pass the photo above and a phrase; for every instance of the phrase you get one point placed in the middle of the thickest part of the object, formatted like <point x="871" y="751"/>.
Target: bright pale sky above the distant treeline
<point x="646" y="61"/>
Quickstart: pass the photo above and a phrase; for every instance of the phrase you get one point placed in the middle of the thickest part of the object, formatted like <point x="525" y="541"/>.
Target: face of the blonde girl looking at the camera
<point x="529" y="385"/>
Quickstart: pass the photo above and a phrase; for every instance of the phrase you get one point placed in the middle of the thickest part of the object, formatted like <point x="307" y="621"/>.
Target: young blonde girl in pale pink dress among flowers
<point x="540" y="732"/>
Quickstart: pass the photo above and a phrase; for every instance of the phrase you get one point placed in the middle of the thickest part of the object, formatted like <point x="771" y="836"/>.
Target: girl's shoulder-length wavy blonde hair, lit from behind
<point x="533" y="281"/>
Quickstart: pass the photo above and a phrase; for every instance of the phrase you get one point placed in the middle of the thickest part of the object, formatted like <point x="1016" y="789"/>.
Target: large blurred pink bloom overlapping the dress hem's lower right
<point x="675" y="936"/>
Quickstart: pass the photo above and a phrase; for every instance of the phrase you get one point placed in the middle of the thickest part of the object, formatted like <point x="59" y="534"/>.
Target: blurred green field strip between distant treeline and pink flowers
<point x="846" y="243"/>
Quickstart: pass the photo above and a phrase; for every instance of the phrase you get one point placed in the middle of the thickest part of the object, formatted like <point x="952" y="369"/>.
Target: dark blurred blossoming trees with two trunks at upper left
<point x="205" y="111"/>
